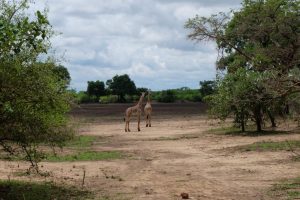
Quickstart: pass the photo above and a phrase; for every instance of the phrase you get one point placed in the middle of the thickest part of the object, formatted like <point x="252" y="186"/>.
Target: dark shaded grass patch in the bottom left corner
<point x="20" y="190"/>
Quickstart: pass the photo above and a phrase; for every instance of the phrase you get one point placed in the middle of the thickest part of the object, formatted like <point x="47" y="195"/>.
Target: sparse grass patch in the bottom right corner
<point x="289" y="189"/>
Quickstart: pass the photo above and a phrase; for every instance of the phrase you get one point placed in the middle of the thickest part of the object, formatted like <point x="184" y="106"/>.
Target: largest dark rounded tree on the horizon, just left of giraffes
<point x="121" y="85"/>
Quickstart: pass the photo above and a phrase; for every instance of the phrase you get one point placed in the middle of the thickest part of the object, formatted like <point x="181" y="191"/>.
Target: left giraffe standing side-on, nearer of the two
<point x="134" y="109"/>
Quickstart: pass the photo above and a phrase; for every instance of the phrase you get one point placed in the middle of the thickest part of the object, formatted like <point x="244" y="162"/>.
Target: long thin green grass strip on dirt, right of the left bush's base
<point x="85" y="156"/>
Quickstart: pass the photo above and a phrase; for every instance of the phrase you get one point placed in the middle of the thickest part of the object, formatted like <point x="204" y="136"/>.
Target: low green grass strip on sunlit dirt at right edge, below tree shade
<point x="271" y="146"/>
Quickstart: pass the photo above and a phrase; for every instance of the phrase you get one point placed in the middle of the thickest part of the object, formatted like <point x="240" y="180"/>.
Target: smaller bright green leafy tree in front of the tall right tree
<point x="241" y="94"/>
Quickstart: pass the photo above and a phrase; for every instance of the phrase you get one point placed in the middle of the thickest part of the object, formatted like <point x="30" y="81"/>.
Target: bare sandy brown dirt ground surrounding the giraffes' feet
<point x="173" y="156"/>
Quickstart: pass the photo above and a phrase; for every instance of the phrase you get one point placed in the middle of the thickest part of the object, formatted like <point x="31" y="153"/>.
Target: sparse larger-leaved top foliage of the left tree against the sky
<point x="22" y="38"/>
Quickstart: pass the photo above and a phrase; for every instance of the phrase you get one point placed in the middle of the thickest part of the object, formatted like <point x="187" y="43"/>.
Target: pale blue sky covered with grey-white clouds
<point x="142" y="38"/>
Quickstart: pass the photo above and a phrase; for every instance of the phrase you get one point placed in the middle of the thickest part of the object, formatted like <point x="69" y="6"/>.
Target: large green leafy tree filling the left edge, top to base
<point x="33" y="95"/>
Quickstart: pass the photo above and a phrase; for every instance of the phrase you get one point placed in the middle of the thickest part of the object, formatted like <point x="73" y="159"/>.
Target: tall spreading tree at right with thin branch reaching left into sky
<point x="262" y="37"/>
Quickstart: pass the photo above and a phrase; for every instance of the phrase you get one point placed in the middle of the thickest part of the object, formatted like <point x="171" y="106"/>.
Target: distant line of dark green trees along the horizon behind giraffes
<point x="121" y="89"/>
